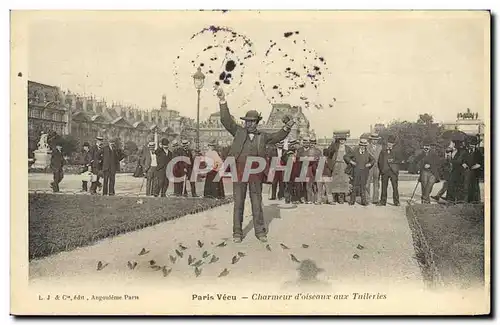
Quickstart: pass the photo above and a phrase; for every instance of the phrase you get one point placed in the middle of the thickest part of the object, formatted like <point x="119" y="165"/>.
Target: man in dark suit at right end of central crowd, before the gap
<point x="388" y="165"/>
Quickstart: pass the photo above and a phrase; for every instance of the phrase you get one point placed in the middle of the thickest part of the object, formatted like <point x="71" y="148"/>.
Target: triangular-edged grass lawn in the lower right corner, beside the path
<point x="449" y="243"/>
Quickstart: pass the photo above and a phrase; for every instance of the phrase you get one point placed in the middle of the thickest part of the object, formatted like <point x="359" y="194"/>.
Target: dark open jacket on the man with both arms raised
<point x="240" y="135"/>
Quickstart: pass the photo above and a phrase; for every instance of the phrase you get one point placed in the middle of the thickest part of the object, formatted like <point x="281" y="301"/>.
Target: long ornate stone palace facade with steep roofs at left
<point x="85" y="117"/>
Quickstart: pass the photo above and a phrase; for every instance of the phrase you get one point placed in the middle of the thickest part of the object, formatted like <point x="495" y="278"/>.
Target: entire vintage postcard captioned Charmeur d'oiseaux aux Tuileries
<point x="250" y="162"/>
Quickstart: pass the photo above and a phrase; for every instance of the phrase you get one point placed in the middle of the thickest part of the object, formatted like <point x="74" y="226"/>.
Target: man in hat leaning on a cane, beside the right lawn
<point x="429" y="170"/>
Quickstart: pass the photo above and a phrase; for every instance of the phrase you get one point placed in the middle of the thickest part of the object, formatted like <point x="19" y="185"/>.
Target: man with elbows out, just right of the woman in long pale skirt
<point x="362" y="161"/>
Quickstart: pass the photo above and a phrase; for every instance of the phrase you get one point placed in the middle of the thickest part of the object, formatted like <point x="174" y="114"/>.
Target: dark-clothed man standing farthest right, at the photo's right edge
<point x="473" y="166"/>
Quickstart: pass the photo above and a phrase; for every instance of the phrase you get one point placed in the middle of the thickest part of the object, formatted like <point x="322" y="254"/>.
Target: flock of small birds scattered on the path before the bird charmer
<point x="206" y="258"/>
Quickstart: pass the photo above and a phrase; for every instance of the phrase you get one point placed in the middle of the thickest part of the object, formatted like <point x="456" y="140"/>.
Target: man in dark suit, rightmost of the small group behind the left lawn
<point x="111" y="157"/>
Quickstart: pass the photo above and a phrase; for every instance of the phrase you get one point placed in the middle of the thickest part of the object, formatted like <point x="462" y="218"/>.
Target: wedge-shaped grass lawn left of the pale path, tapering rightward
<point x="59" y="222"/>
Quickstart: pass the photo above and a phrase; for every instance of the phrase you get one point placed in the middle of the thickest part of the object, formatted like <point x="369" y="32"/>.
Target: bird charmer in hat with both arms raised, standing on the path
<point x="248" y="142"/>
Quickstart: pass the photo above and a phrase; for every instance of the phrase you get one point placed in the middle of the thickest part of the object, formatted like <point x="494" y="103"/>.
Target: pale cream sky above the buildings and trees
<point x="381" y="66"/>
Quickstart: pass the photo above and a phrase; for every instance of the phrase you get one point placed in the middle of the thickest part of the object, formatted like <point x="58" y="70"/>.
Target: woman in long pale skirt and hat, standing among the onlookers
<point x="340" y="179"/>
